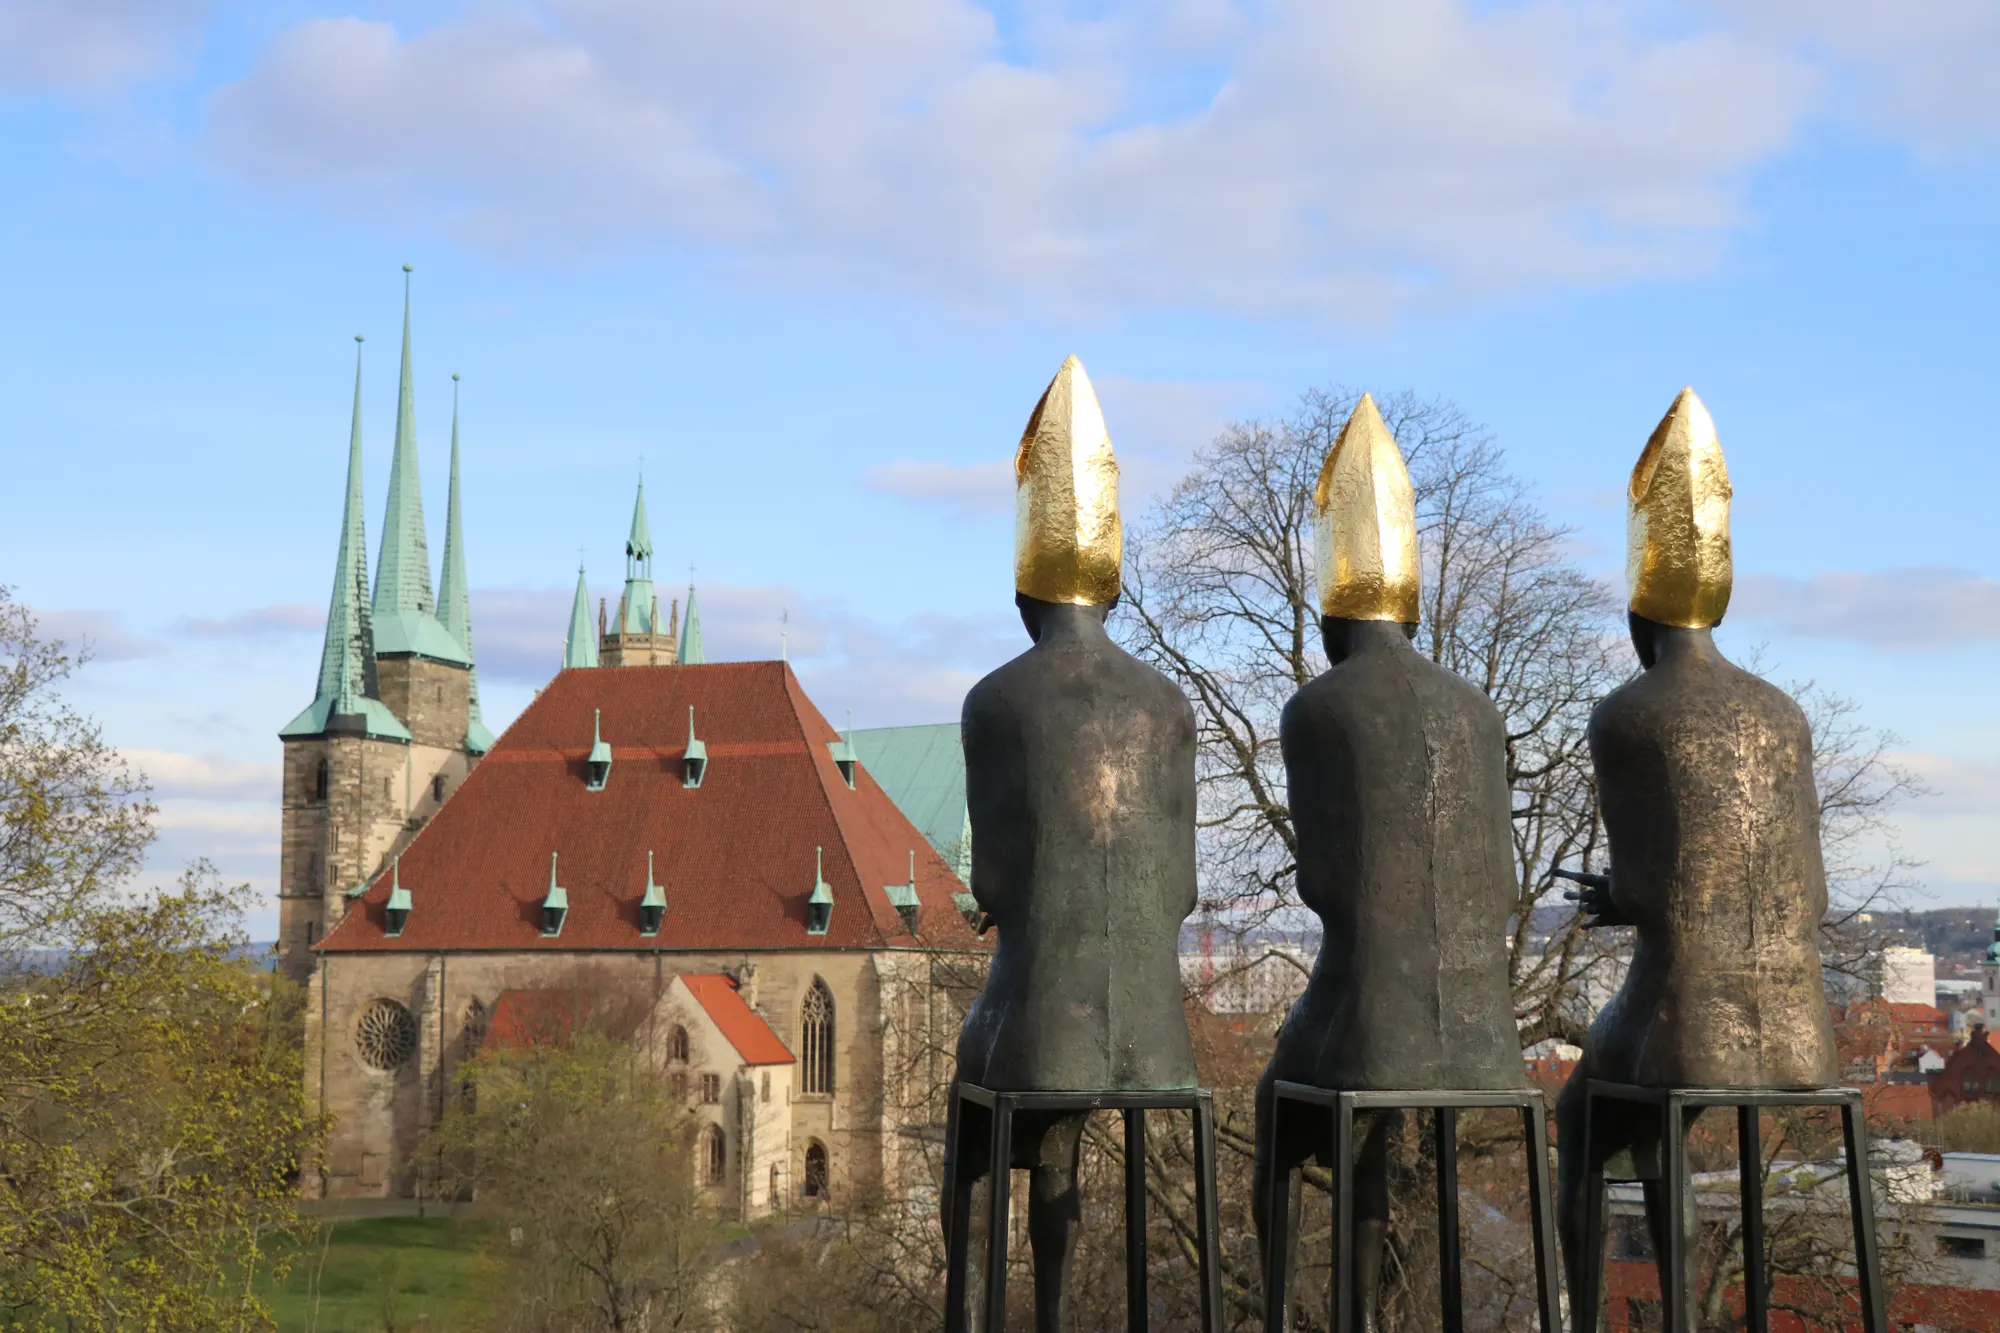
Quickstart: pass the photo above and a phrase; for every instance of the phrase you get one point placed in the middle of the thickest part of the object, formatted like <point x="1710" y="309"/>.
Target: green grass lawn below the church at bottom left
<point x="387" y="1276"/>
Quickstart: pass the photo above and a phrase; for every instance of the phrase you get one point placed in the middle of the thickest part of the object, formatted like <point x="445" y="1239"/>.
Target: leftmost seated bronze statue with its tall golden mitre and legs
<point x="1081" y="798"/>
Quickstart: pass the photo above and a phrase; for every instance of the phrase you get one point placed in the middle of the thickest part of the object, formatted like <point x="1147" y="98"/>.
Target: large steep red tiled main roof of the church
<point x="735" y="856"/>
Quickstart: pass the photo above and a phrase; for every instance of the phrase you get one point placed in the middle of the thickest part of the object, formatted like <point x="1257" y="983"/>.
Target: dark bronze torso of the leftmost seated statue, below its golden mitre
<point x="1081" y="798"/>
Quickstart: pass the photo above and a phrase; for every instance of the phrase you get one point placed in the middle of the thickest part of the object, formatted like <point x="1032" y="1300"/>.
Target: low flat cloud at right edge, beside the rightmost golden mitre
<point x="1891" y="609"/>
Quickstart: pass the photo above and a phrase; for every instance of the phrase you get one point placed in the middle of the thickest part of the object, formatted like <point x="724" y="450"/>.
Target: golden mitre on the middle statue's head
<point x="1365" y="525"/>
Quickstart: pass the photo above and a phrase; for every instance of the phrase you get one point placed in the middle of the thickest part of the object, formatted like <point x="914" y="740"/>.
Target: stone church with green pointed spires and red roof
<point x="689" y="836"/>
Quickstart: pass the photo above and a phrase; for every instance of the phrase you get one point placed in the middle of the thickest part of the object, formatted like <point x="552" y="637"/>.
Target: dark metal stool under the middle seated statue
<point x="1445" y="1108"/>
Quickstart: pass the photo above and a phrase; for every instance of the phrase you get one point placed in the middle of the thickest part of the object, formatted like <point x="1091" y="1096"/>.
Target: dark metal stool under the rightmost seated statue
<point x="1673" y="1106"/>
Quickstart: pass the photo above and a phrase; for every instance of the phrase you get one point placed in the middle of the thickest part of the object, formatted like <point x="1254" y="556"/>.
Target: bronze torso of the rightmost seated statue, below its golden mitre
<point x="1705" y="774"/>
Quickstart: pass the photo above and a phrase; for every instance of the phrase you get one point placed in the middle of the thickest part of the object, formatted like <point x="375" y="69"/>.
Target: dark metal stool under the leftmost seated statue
<point x="977" y="1110"/>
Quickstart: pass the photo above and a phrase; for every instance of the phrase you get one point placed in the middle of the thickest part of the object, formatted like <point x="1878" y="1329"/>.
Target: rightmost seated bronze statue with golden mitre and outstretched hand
<point x="1705" y="778"/>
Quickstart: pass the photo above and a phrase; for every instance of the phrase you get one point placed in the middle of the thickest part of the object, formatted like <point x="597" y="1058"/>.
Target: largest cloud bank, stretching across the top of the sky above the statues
<point x="1339" y="159"/>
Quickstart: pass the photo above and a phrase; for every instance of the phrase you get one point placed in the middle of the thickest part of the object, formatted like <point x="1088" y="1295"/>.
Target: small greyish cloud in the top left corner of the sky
<point x="93" y="45"/>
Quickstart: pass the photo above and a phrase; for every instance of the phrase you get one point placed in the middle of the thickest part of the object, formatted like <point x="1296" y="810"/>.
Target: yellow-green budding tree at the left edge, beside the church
<point x="151" y="1100"/>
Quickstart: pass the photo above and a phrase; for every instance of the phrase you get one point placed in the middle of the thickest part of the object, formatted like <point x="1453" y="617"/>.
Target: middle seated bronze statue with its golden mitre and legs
<point x="1397" y="776"/>
